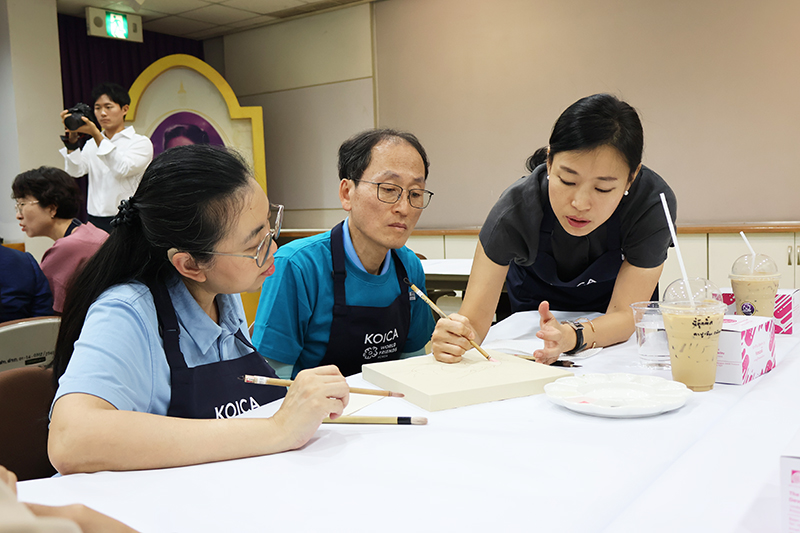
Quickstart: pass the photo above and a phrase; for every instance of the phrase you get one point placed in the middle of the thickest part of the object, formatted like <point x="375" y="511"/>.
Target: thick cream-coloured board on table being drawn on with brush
<point x="435" y="386"/>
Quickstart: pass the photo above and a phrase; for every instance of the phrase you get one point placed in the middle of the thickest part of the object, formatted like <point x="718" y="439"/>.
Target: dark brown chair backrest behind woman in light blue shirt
<point x="25" y="398"/>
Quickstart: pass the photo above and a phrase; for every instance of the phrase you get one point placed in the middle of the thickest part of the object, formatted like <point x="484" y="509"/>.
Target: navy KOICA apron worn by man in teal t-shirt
<point x="361" y="335"/>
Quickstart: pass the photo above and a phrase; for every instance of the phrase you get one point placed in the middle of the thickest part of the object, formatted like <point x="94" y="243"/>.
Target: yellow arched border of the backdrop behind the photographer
<point x="235" y="111"/>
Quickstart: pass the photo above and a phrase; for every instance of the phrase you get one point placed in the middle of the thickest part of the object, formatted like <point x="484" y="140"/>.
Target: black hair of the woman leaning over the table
<point x="598" y="120"/>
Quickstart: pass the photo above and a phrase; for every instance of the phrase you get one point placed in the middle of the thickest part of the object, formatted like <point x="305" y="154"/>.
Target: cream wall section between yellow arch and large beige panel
<point x="313" y="77"/>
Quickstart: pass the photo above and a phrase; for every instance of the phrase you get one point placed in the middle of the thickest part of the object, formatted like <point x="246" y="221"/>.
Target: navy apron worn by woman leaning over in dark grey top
<point x="590" y="291"/>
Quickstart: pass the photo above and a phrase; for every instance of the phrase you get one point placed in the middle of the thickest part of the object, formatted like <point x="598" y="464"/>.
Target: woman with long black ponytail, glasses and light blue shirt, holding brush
<point x="153" y="343"/>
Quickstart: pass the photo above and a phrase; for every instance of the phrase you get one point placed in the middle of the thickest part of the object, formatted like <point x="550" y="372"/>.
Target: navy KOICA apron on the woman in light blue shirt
<point x="215" y="390"/>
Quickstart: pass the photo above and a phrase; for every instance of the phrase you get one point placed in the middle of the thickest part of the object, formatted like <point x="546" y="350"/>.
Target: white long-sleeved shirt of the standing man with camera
<point x="115" y="168"/>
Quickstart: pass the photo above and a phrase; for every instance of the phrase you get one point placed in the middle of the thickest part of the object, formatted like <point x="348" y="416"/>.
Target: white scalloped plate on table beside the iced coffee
<point x="617" y="395"/>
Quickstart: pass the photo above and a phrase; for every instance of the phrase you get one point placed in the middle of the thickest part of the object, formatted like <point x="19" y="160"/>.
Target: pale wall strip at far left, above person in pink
<point x="30" y="101"/>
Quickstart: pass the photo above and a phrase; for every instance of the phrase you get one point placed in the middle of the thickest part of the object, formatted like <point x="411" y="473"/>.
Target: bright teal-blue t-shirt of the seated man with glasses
<point x="293" y="321"/>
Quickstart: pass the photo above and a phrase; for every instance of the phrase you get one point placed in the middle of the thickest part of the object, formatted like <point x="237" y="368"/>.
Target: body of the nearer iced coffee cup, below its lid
<point x="693" y="330"/>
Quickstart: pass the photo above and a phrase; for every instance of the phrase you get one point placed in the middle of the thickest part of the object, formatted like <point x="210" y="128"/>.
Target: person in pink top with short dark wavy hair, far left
<point x="47" y="201"/>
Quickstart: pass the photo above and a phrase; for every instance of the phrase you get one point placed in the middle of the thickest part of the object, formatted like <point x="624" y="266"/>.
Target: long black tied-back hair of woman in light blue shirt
<point x="188" y="199"/>
